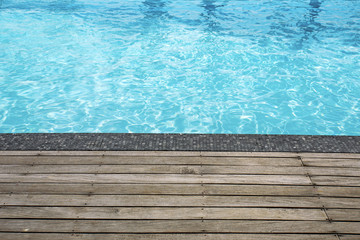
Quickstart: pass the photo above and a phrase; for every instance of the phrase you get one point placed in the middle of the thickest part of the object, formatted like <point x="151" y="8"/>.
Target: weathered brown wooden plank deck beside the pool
<point x="179" y="196"/>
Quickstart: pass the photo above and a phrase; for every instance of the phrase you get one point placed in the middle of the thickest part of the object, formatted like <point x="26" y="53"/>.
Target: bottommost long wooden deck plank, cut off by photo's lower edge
<point x="72" y="236"/>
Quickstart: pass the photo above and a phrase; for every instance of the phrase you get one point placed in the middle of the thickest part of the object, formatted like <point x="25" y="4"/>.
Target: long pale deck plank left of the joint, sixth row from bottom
<point x="157" y="178"/>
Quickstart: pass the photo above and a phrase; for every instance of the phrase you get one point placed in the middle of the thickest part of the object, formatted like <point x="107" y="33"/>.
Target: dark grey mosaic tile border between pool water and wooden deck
<point x="178" y="142"/>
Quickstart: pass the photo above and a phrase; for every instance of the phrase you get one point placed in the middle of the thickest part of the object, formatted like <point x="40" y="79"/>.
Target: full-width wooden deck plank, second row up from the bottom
<point x="177" y="226"/>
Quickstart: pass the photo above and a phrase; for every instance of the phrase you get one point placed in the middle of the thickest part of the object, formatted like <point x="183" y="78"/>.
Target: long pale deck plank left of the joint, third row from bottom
<point x="160" y="213"/>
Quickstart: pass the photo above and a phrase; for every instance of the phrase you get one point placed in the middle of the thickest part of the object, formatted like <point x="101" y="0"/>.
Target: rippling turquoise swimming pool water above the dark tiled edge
<point x="180" y="66"/>
